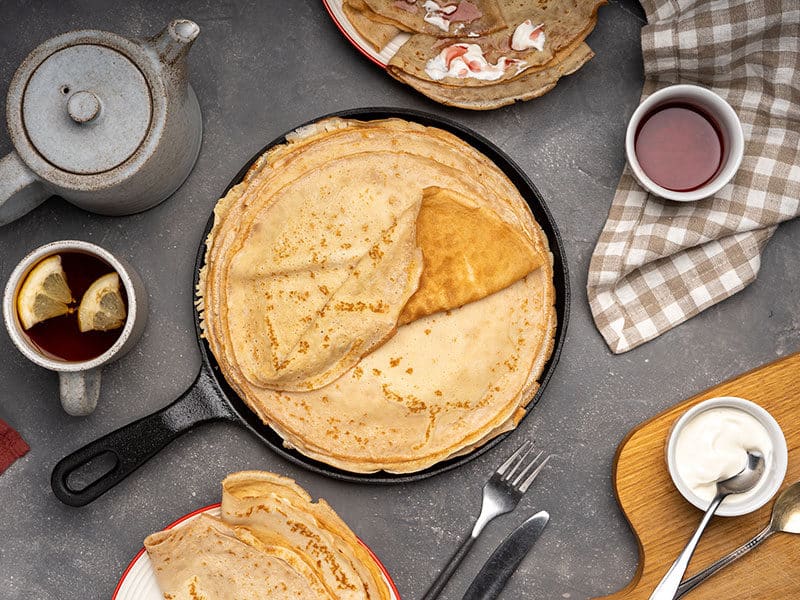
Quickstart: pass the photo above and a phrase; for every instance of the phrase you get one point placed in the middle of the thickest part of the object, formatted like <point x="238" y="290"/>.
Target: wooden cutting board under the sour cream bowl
<point x="663" y="521"/>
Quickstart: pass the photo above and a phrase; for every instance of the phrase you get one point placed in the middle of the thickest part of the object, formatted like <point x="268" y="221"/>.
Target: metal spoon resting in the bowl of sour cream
<point x="744" y="481"/>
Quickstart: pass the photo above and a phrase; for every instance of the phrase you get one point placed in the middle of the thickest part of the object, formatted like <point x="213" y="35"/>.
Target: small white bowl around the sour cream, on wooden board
<point x="773" y="475"/>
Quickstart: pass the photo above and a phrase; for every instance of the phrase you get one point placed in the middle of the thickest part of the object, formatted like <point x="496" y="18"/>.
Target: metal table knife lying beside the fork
<point x="506" y="558"/>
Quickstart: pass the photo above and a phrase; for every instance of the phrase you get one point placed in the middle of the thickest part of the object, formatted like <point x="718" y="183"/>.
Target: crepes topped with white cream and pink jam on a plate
<point x="526" y="45"/>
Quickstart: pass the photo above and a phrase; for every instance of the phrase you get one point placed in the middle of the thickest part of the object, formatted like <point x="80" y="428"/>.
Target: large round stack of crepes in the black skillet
<point x="379" y="294"/>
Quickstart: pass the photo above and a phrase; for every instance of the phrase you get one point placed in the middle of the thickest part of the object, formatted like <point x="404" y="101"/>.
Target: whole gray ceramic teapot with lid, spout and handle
<point x="108" y="123"/>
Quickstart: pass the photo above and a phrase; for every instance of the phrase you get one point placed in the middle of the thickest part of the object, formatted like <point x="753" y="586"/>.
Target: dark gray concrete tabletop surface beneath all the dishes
<point x="259" y="69"/>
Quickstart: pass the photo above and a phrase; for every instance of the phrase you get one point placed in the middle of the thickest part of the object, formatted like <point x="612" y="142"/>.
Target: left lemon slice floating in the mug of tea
<point x="44" y="294"/>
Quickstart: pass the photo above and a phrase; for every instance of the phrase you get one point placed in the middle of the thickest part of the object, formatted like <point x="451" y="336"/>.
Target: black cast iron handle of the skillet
<point x="132" y="445"/>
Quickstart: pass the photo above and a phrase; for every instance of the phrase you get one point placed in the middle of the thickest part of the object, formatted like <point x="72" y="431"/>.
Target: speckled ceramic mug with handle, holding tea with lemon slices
<point x="79" y="382"/>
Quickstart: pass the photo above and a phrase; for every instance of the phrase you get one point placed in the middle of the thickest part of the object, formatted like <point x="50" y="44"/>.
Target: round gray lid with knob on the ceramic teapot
<point x="86" y="108"/>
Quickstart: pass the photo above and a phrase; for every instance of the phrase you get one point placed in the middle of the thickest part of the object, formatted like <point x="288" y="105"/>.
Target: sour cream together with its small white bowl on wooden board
<point x="709" y="443"/>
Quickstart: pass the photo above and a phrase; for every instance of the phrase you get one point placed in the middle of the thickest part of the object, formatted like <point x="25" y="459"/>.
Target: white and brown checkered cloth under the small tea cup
<point x="658" y="263"/>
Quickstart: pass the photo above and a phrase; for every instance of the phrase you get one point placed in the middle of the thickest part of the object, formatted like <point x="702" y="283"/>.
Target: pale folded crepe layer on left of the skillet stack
<point x="321" y="276"/>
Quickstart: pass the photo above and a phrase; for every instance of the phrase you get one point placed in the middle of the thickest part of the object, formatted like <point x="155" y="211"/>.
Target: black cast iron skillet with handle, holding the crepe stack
<point x="210" y="398"/>
